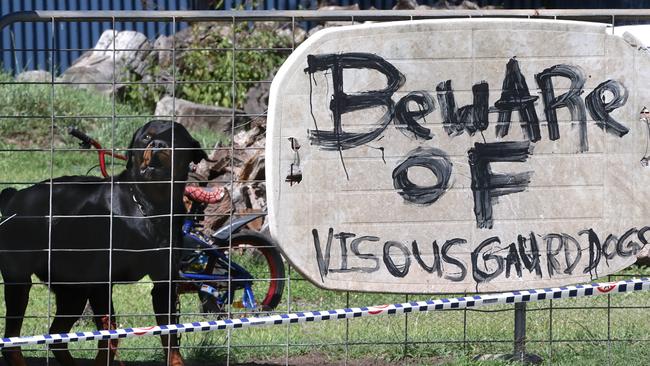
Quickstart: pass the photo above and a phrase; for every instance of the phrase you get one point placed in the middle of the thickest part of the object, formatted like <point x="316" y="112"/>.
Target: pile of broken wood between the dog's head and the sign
<point x="239" y="167"/>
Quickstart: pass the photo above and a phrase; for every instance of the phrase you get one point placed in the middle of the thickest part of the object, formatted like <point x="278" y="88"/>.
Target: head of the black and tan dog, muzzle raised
<point x="150" y="151"/>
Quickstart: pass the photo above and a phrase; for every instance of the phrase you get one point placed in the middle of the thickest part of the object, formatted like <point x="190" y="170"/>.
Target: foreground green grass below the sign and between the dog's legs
<point x="579" y="335"/>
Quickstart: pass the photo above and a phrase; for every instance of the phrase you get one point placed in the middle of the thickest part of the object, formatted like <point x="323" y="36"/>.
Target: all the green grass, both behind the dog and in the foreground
<point x="579" y="336"/>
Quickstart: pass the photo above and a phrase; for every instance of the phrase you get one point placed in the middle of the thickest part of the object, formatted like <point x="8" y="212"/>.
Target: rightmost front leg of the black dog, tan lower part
<point x="163" y="300"/>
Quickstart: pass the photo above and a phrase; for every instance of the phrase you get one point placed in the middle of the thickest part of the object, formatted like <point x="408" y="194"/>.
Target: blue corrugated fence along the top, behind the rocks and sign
<point x="28" y="46"/>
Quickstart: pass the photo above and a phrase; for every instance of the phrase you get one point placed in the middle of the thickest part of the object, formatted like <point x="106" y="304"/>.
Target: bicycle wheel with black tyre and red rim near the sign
<point x="258" y="255"/>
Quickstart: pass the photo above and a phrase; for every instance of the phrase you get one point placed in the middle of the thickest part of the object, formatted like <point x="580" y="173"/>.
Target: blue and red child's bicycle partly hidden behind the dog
<point x="233" y="268"/>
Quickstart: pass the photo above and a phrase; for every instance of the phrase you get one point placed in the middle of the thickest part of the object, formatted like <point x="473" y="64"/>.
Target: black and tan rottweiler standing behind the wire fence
<point x="82" y="234"/>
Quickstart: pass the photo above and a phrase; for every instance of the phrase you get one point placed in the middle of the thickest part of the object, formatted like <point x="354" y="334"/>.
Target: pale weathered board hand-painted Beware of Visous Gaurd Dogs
<point x="460" y="155"/>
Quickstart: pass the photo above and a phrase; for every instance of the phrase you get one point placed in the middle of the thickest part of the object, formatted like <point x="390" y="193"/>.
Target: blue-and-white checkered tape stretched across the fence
<point x="633" y="285"/>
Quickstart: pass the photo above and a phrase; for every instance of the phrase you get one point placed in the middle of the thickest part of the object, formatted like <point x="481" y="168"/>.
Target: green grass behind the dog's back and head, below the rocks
<point x="34" y="120"/>
